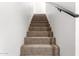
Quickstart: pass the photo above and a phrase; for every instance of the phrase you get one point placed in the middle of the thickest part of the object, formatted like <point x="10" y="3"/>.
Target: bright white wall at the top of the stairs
<point x="39" y="7"/>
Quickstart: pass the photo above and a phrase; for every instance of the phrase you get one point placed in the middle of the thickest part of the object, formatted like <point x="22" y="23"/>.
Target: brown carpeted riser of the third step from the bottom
<point x="39" y="34"/>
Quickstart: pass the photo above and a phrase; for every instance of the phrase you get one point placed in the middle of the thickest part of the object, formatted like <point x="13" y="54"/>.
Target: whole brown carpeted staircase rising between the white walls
<point x="40" y="40"/>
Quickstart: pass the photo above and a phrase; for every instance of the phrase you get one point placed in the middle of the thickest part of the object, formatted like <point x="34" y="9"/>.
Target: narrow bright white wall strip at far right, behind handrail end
<point x="77" y="30"/>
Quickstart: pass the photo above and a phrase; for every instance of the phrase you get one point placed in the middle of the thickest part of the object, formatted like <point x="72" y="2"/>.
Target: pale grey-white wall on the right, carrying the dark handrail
<point x="63" y="26"/>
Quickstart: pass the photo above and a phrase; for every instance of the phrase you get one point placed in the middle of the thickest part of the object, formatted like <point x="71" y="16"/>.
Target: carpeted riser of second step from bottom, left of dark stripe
<point x="37" y="40"/>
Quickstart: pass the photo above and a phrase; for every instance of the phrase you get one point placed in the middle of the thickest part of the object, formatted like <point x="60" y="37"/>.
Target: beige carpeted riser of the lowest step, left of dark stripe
<point x="36" y="51"/>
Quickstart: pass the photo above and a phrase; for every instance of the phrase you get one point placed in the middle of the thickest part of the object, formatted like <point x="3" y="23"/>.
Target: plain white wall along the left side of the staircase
<point x="13" y="20"/>
